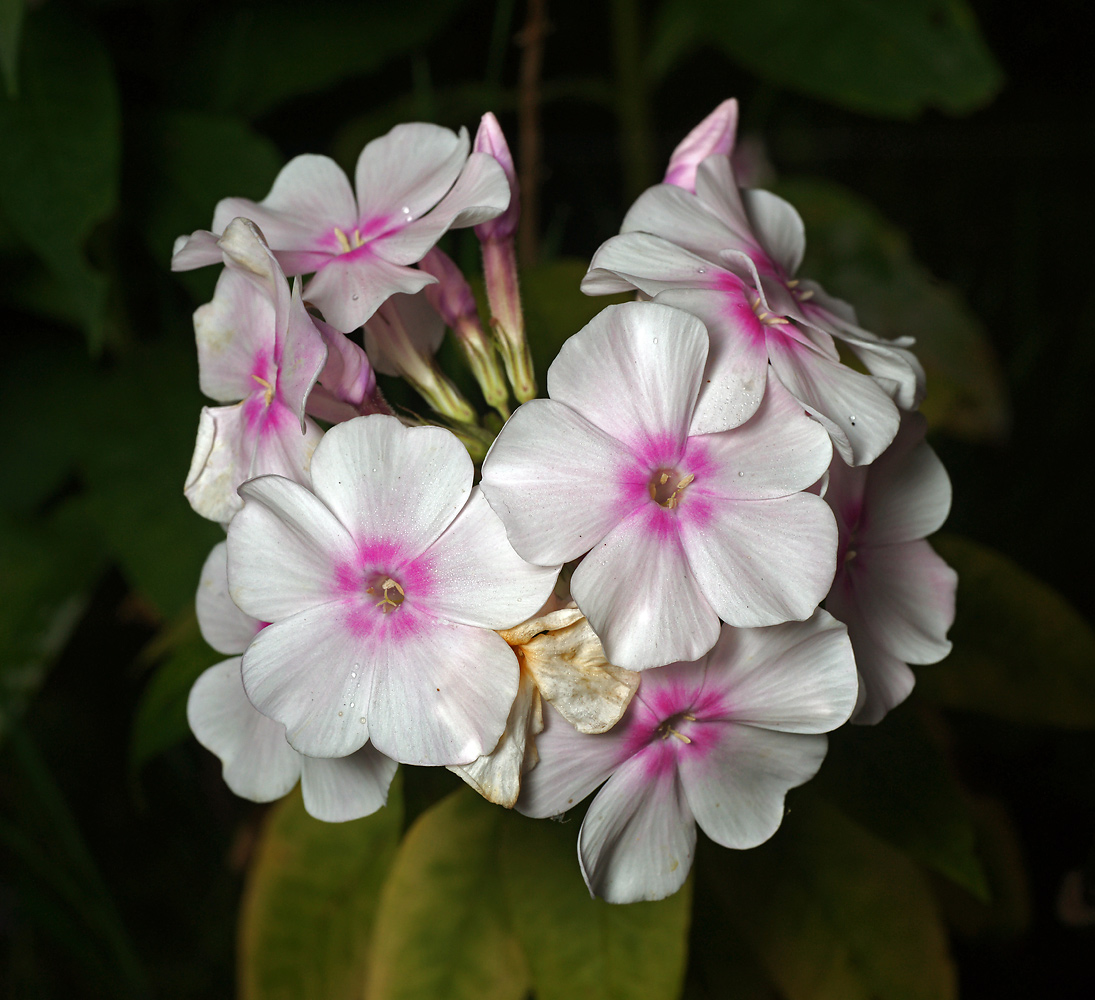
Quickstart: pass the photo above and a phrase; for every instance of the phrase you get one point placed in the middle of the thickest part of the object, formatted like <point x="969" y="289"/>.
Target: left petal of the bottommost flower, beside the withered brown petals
<point x="572" y="765"/>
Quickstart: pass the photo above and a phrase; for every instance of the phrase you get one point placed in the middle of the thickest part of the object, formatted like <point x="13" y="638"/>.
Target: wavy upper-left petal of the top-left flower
<point x="310" y="198"/>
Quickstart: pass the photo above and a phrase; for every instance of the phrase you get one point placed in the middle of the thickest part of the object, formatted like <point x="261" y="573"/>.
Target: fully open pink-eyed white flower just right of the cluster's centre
<point x="682" y="528"/>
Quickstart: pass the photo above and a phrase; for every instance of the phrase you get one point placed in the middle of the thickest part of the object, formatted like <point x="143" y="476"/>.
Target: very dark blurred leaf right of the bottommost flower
<point x="894" y="780"/>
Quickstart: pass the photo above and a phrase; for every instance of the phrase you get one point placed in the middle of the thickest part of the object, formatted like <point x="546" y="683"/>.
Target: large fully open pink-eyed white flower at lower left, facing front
<point x="384" y="587"/>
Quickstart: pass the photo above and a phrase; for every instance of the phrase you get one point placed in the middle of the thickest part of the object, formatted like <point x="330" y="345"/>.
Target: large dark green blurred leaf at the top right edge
<point x="882" y="58"/>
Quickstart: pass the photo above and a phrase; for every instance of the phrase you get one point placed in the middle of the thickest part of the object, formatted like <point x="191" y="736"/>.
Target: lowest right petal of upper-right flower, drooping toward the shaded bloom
<point x="860" y="417"/>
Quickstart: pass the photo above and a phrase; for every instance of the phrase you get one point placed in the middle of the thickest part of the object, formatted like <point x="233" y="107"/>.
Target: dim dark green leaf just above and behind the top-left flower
<point x="201" y="159"/>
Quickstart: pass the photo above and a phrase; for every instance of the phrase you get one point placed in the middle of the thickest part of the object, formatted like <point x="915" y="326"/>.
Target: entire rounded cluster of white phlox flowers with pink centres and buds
<point x="664" y="582"/>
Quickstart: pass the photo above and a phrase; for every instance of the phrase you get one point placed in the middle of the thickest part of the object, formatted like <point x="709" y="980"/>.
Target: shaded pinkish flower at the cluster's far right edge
<point x="894" y="593"/>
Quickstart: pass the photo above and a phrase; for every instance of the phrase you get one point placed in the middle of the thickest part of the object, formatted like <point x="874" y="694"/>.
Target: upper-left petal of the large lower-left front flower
<point x="283" y="550"/>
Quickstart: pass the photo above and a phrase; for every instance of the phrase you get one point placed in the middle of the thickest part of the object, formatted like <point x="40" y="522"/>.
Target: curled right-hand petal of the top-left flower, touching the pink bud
<point x="481" y="193"/>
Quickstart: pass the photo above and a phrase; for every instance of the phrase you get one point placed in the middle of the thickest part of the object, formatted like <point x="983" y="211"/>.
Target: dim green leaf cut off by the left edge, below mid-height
<point x="47" y="576"/>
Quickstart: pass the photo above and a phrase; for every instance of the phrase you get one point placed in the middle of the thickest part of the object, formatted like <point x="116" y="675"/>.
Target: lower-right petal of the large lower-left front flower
<point x="442" y="694"/>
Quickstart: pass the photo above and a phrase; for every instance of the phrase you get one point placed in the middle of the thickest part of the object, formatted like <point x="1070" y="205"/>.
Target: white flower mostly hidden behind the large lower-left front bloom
<point x="258" y="763"/>
